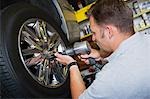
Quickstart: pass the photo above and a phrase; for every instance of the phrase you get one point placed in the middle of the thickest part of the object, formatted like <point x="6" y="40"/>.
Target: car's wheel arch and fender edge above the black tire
<point x="58" y="10"/>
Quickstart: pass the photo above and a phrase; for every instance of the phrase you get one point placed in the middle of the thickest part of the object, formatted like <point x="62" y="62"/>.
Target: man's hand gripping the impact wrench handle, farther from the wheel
<point x="94" y="54"/>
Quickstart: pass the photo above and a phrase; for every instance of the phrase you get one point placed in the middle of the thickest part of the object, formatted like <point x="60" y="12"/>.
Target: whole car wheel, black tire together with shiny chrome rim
<point x="40" y="79"/>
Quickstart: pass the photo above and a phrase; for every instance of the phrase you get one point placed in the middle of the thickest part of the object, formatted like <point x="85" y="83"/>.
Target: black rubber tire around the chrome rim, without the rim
<point x="15" y="81"/>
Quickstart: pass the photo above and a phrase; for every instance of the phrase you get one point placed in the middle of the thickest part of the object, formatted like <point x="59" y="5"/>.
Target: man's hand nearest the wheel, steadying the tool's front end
<point x="64" y="59"/>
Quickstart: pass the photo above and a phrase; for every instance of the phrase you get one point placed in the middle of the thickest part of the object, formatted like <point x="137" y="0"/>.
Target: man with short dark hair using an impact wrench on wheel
<point x="127" y="75"/>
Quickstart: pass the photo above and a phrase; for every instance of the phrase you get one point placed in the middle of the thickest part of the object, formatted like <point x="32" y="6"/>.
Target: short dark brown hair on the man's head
<point x="115" y="12"/>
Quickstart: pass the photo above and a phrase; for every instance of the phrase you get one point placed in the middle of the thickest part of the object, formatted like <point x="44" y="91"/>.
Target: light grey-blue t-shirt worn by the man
<point x="127" y="75"/>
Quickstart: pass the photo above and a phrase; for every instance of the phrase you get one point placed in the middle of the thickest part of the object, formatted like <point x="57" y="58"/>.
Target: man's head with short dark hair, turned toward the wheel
<point x="111" y="22"/>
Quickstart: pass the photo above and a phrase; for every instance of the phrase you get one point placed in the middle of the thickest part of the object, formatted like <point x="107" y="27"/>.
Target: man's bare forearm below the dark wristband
<point x="76" y="82"/>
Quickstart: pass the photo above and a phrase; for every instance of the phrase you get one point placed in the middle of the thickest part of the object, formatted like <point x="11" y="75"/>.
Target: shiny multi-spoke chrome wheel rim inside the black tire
<point x="37" y="42"/>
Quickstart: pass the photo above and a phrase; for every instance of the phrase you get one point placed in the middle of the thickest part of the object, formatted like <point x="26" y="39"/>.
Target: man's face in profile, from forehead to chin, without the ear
<point x="99" y="35"/>
